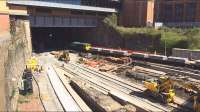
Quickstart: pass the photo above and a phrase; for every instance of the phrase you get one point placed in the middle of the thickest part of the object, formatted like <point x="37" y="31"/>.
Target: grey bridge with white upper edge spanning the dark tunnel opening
<point x="62" y="13"/>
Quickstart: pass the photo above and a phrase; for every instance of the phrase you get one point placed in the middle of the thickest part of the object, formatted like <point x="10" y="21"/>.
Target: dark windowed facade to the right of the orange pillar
<point x="178" y="12"/>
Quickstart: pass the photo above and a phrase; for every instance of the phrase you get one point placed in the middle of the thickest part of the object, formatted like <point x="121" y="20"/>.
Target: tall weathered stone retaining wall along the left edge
<point x="15" y="50"/>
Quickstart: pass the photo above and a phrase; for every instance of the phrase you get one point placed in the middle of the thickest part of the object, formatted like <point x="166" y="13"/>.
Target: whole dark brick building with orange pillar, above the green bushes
<point x="169" y="12"/>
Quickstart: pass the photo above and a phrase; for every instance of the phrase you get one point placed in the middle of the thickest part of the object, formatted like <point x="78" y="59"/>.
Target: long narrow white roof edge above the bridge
<point x="61" y="5"/>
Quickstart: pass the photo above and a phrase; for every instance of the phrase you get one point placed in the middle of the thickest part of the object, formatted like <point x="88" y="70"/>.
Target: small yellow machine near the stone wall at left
<point x="33" y="65"/>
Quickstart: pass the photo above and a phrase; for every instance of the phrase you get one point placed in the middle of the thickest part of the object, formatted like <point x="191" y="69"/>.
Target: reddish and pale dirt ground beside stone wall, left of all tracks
<point x="31" y="102"/>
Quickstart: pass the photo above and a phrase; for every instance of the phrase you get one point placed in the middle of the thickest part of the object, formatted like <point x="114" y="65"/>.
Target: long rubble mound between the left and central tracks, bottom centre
<point x="99" y="101"/>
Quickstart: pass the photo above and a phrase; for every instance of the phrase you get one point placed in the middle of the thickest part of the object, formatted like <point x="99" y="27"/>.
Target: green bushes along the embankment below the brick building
<point x="188" y="38"/>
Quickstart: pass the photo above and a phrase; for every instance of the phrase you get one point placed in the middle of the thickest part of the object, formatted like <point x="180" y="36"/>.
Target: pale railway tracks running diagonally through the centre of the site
<point x="115" y="86"/>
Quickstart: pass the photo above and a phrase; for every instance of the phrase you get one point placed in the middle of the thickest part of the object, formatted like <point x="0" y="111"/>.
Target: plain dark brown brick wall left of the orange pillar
<point x="133" y="13"/>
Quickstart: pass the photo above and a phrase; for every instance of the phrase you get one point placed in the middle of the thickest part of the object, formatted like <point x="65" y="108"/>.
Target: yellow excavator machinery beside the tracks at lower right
<point x="163" y="88"/>
